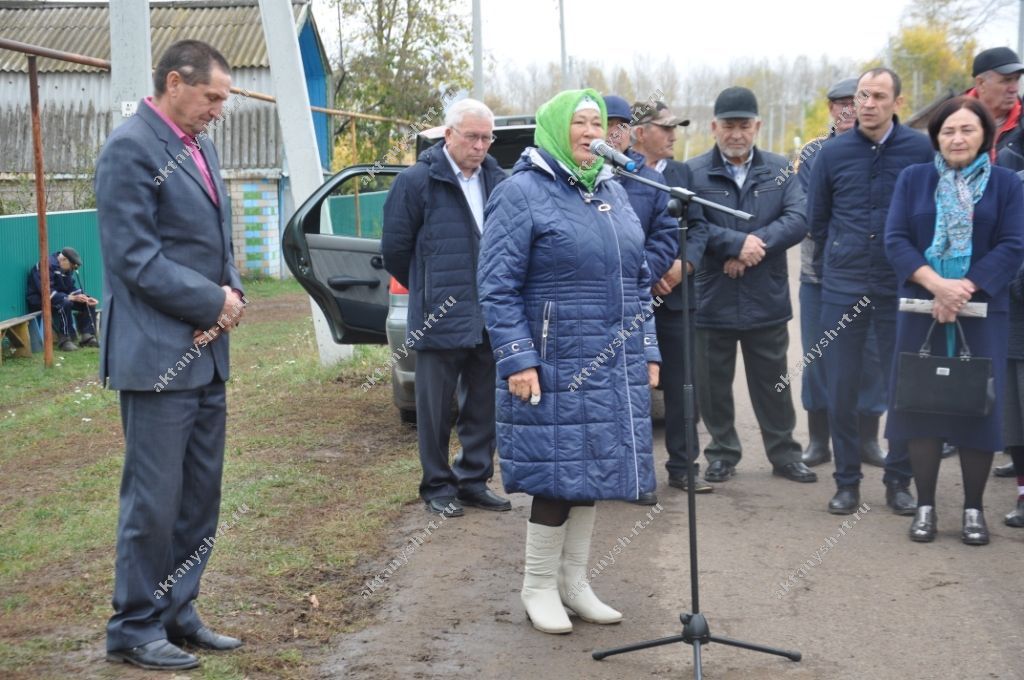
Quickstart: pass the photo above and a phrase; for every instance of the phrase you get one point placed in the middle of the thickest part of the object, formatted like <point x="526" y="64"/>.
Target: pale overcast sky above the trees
<point x="527" y="31"/>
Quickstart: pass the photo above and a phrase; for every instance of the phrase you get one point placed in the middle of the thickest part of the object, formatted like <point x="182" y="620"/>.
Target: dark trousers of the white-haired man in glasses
<point x="440" y="373"/>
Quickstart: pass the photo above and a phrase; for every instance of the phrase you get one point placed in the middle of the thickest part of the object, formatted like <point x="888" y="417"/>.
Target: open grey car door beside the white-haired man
<point x="332" y="245"/>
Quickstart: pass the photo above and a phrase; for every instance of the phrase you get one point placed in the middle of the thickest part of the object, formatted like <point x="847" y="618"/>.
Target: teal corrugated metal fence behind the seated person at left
<point x="20" y="253"/>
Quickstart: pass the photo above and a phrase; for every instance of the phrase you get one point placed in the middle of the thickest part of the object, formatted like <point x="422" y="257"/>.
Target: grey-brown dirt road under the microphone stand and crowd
<point x="874" y="606"/>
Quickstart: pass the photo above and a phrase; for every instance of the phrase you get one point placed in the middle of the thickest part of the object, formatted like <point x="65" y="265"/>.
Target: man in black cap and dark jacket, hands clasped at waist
<point x="744" y="289"/>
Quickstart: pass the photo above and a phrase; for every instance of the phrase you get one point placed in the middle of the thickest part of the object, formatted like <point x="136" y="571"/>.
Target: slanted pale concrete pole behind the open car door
<point x="298" y="137"/>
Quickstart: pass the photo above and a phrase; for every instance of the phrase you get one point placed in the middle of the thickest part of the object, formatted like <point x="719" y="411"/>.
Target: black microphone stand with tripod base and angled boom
<point x="696" y="629"/>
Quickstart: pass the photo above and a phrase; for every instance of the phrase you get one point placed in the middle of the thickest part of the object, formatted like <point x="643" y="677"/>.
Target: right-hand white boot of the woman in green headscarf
<point x="574" y="587"/>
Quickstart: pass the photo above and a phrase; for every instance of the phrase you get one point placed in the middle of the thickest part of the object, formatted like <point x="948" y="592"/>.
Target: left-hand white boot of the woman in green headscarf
<point x="540" y="589"/>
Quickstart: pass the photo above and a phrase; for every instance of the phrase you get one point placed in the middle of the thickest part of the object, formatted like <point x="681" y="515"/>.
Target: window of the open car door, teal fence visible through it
<point x="356" y="206"/>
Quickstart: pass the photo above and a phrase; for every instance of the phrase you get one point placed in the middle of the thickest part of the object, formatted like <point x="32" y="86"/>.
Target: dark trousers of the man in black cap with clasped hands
<point x="764" y="360"/>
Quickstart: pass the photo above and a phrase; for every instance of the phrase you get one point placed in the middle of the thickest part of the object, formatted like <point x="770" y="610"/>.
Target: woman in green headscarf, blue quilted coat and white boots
<point x="567" y="302"/>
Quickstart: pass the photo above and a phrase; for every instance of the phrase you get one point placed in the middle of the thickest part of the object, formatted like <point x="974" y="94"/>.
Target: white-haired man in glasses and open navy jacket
<point x="434" y="220"/>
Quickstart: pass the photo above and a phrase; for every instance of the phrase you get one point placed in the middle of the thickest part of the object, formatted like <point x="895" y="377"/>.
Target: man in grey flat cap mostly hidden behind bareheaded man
<point x="872" y="396"/>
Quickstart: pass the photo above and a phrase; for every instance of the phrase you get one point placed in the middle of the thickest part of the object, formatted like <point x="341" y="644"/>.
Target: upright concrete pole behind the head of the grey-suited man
<point x="132" y="58"/>
